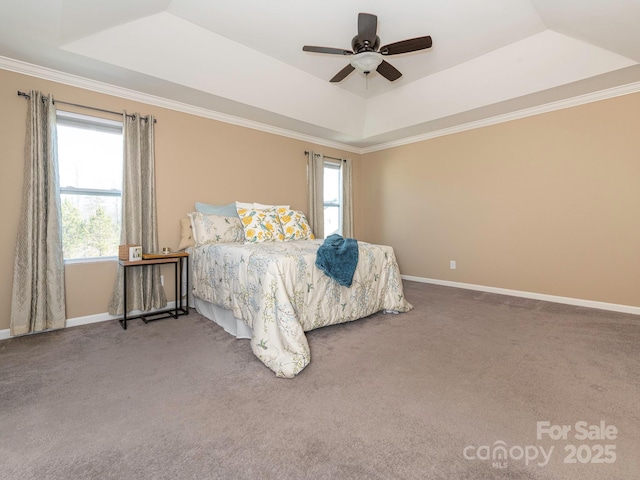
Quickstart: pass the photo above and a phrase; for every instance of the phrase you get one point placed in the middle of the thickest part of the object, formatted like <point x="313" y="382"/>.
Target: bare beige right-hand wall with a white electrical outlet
<point x="547" y="204"/>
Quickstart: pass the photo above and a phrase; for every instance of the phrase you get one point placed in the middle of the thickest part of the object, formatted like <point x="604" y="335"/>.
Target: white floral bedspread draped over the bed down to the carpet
<point x="278" y="291"/>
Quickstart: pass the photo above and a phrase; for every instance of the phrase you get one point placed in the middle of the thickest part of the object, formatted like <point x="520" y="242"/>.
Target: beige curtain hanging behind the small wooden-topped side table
<point x="139" y="218"/>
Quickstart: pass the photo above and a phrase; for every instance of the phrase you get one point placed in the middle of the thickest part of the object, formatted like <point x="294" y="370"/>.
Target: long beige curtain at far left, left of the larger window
<point x="38" y="274"/>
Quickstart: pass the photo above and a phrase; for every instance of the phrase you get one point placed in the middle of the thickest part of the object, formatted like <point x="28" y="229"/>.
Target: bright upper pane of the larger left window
<point x="89" y="159"/>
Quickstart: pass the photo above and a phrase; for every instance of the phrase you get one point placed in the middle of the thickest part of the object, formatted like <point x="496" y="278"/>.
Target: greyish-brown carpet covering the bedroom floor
<point x="468" y="385"/>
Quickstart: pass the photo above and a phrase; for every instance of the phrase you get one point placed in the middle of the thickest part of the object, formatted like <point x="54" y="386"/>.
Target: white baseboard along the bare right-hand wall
<point x="614" y="307"/>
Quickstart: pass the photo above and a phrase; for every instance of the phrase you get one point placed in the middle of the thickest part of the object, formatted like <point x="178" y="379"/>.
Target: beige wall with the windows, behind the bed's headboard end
<point x="197" y="159"/>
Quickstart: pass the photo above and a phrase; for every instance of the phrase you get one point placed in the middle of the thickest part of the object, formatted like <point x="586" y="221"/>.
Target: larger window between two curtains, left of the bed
<point x="90" y="155"/>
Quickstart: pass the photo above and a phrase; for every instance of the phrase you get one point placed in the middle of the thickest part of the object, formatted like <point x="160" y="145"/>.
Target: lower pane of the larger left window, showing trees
<point x="90" y="225"/>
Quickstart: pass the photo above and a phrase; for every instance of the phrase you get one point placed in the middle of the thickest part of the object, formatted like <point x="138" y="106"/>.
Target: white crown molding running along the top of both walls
<point x="105" y="88"/>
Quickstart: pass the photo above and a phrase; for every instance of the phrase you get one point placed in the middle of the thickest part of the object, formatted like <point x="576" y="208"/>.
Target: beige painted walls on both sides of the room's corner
<point x="547" y="204"/>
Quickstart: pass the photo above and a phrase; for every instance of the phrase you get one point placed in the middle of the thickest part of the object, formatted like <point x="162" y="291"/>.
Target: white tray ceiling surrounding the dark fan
<point x="244" y="58"/>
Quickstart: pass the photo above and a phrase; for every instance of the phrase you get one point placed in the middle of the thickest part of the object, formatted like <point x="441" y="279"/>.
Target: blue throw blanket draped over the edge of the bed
<point x="338" y="257"/>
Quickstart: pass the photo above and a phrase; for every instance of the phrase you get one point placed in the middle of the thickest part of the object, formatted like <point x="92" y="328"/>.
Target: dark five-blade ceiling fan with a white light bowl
<point x="367" y="53"/>
